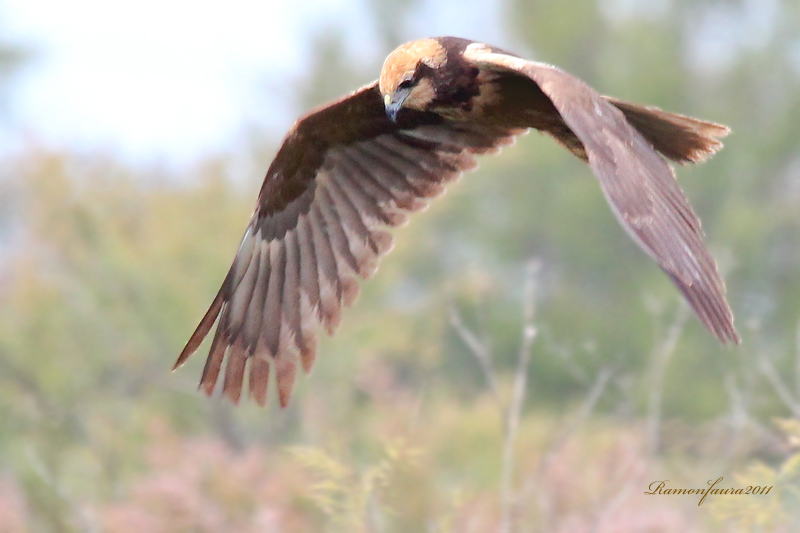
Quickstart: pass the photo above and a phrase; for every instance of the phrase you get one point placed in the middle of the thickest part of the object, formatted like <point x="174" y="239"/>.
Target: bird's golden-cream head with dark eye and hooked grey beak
<point x="408" y="78"/>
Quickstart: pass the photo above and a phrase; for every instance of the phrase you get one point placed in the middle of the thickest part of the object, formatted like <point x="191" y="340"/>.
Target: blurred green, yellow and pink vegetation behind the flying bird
<point x="516" y="365"/>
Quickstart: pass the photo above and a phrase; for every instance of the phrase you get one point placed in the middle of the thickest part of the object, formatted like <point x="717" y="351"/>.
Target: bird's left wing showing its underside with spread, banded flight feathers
<point x="343" y="174"/>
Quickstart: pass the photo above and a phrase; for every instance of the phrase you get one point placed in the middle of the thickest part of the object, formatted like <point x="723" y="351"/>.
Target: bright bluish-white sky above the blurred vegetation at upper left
<point x="170" y="80"/>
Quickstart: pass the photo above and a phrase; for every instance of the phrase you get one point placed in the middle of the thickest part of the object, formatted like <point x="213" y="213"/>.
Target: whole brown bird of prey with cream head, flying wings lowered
<point x="351" y="168"/>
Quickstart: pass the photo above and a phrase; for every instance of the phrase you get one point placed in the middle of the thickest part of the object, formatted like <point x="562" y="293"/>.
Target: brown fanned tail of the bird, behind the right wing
<point x="677" y="137"/>
